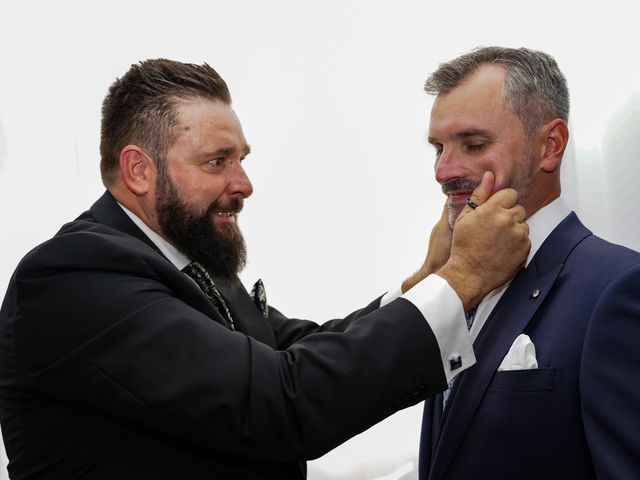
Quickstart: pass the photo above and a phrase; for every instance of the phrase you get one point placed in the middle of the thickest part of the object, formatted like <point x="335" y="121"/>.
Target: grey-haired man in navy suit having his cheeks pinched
<point x="555" y="392"/>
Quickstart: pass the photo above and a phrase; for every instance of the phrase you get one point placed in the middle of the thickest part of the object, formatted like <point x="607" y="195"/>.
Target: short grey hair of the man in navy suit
<point x="535" y="89"/>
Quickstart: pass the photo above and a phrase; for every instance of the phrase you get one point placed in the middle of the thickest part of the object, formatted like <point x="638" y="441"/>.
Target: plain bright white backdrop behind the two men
<point x="330" y="96"/>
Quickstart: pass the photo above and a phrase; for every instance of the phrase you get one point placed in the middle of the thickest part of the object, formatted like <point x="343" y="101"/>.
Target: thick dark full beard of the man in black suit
<point x="223" y="253"/>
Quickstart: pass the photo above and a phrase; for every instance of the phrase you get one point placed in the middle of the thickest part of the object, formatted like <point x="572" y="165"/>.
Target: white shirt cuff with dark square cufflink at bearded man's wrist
<point x="443" y="310"/>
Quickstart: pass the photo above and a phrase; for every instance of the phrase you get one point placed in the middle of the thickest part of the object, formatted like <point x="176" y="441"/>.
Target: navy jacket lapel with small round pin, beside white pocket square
<point x="508" y="319"/>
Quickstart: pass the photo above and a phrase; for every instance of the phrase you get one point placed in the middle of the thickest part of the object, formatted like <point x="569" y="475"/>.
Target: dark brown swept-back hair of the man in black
<point x="140" y="108"/>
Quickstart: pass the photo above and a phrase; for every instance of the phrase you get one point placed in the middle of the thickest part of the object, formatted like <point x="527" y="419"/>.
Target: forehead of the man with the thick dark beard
<point x="208" y="125"/>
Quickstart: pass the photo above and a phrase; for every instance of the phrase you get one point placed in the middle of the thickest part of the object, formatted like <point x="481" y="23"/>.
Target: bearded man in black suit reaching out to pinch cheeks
<point x="130" y="350"/>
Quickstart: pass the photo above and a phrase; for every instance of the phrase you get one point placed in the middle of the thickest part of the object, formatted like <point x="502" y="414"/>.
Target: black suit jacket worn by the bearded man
<point x="114" y="365"/>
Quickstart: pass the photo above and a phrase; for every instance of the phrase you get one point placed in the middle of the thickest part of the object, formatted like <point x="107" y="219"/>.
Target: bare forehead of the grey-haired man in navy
<point x="476" y="103"/>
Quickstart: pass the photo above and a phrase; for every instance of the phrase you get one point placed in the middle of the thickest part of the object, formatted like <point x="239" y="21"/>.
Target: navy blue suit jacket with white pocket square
<point x="578" y="415"/>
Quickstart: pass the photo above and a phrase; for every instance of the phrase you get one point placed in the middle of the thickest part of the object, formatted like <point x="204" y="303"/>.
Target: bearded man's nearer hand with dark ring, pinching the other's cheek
<point x="490" y="243"/>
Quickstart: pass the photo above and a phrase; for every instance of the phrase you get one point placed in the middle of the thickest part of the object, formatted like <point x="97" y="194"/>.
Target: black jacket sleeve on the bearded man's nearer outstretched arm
<point x="103" y="329"/>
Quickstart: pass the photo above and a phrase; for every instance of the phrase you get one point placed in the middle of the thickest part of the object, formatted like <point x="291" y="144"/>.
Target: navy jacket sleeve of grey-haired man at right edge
<point x="609" y="384"/>
